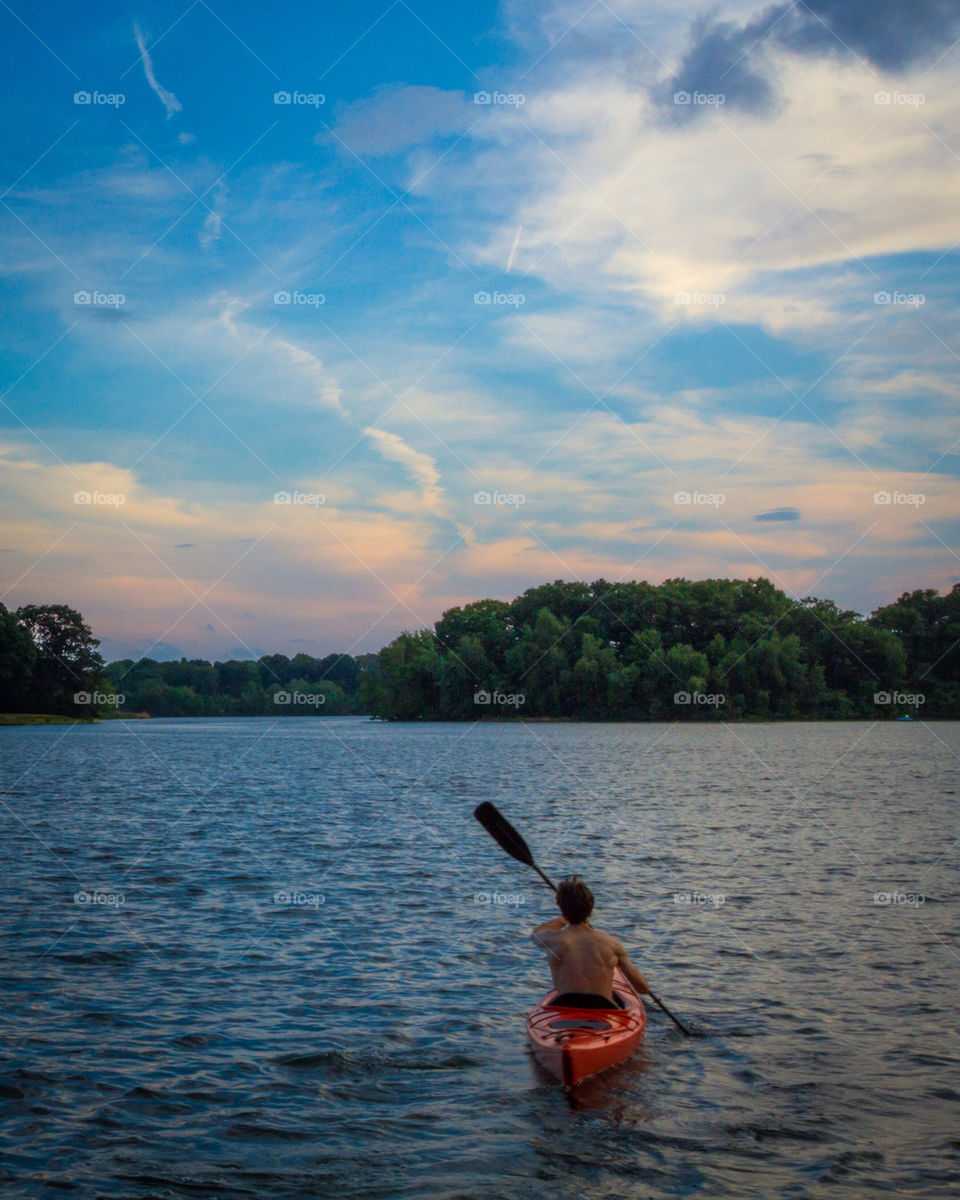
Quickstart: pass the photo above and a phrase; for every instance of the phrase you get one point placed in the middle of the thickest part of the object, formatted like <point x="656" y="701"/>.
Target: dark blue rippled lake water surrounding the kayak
<point x="184" y="1033"/>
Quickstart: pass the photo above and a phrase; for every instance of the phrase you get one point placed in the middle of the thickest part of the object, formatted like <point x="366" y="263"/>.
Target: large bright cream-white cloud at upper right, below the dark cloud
<point x="770" y="223"/>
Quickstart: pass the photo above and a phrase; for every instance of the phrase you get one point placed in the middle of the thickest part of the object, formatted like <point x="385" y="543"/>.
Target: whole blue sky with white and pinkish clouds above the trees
<point x="321" y="322"/>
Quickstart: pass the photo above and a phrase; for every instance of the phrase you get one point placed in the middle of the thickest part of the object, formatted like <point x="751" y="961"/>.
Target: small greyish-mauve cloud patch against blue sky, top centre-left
<point x="398" y="118"/>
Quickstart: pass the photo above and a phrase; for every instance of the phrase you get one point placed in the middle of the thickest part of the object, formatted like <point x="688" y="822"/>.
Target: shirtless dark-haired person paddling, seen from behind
<point x="581" y="958"/>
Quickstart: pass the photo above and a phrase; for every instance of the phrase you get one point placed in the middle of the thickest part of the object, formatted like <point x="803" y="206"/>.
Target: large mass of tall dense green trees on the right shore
<point x="709" y="650"/>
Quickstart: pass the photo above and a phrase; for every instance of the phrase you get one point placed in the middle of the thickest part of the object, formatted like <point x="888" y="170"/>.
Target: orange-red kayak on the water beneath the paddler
<point x="574" y="1043"/>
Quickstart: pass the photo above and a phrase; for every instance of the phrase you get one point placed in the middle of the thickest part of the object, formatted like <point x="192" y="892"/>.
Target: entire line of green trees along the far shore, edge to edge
<point x="683" y="650"/>
